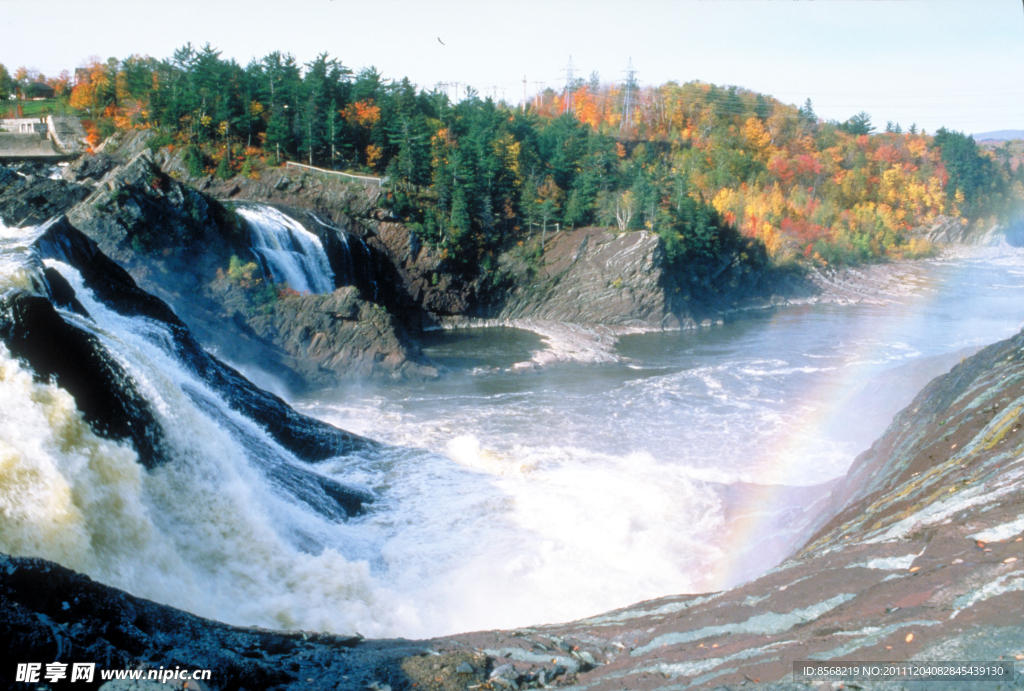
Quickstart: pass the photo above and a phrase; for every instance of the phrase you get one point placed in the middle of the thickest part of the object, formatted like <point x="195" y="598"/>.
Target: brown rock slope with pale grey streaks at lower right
<point x="922" y="560"/>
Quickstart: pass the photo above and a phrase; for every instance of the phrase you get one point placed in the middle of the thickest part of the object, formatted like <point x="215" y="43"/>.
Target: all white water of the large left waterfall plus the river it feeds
<point x="508" y="498"/>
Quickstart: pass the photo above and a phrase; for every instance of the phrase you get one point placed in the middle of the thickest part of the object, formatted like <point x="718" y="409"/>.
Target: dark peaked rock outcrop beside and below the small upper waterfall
<point x="176" y="242"/>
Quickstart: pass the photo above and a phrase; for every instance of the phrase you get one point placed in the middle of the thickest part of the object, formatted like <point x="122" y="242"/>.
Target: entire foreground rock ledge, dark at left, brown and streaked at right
<point x="922" y="558"/>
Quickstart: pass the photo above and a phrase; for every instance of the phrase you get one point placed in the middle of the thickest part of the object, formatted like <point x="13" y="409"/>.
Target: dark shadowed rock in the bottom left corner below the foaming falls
<point x="49" y="613"/>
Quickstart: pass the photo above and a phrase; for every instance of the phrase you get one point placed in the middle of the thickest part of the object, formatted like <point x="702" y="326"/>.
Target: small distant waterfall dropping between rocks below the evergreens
<point x="290" y="253"/>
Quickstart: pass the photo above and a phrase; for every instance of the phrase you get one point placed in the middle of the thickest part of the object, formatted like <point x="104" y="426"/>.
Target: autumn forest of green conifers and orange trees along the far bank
<point x="714" y="170"/>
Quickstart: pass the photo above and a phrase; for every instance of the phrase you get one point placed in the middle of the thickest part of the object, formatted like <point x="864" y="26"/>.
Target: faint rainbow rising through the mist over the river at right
<point x="838" y="398"/>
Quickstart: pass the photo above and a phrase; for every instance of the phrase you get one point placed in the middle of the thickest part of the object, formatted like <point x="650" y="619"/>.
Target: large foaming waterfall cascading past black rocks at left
<point x="231" y="525"/>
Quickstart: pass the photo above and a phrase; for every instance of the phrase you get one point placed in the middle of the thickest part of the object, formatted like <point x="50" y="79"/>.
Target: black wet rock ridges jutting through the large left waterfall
<point x="110" y="398"/>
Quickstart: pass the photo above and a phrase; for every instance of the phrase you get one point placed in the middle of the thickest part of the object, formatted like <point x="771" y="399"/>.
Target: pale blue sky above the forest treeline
<point x="953" y="63"/>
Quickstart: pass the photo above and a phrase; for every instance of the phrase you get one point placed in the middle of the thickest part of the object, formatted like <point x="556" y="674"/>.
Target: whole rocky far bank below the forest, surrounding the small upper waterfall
<point x="178" y="236"/>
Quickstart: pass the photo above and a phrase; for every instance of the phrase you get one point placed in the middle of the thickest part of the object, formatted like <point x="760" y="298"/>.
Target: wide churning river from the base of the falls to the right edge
<point x="546" y="495"/>
